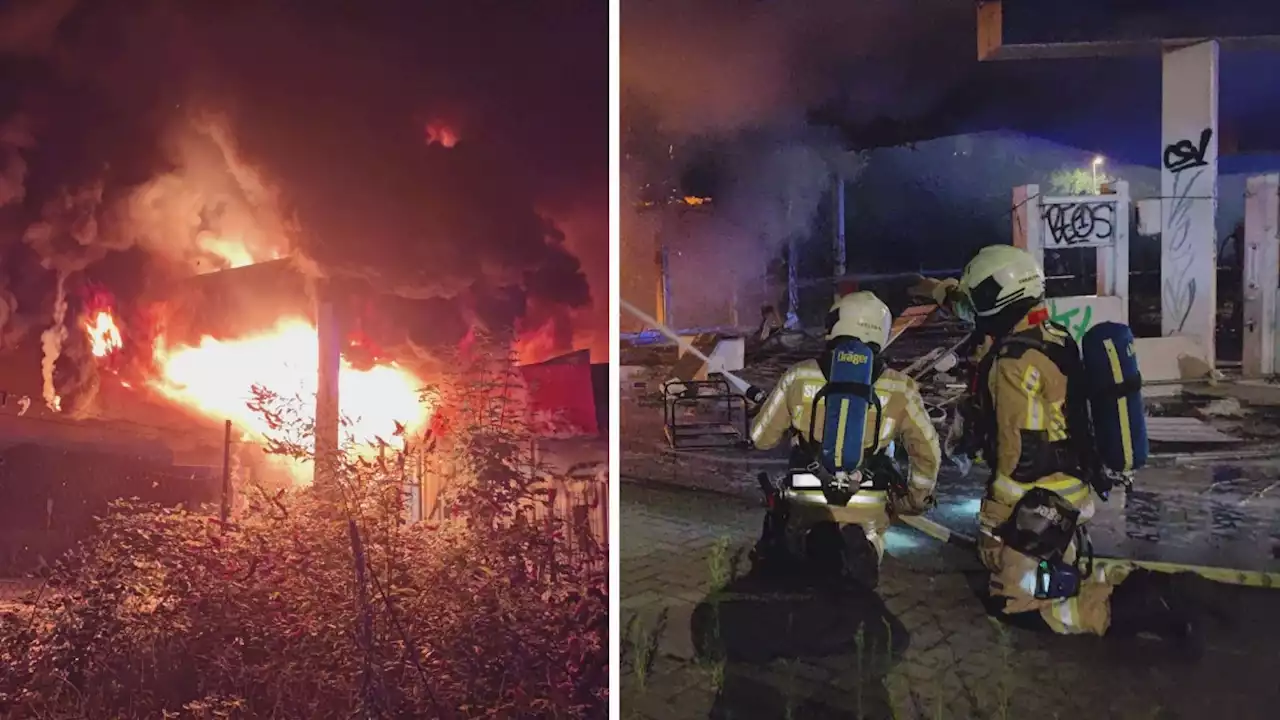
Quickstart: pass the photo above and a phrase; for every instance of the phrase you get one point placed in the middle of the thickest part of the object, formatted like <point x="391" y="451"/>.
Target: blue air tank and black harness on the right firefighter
<point x="1105" y="416"/>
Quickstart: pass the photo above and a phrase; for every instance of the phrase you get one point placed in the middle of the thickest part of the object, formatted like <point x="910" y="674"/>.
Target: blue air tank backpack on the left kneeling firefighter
<point x="849" y="395"/>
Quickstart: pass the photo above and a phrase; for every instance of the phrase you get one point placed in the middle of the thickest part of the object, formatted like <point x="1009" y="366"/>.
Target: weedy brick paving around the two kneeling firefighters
<point x="685" y="516"/>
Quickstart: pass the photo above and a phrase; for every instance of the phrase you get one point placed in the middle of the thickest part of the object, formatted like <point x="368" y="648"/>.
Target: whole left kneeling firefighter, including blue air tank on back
<point x="843" y="409"/>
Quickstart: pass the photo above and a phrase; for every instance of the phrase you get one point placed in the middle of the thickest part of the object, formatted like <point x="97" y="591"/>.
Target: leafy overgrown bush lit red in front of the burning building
<point x="319" y="603"/>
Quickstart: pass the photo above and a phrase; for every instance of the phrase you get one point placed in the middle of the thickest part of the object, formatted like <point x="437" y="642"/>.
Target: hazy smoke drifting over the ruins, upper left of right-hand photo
<point x="725" y="89"/>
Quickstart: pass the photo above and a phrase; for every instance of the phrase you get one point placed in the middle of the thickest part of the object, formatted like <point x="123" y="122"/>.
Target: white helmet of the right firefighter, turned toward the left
<point x="996" y="279"/>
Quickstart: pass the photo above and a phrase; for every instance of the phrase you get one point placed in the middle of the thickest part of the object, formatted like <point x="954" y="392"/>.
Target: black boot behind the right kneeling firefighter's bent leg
<point x="1148" y="603"/>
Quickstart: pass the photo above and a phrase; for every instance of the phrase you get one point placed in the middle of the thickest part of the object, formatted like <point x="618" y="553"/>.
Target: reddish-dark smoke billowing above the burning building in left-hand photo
<point x="435" y="151"/>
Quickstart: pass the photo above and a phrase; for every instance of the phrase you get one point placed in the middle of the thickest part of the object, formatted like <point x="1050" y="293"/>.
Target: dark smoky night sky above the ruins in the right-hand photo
<point x="889" y="72"/>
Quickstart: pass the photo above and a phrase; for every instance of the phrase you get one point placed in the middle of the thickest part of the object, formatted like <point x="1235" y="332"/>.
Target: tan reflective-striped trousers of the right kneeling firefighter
<point x="1013" y="584"/>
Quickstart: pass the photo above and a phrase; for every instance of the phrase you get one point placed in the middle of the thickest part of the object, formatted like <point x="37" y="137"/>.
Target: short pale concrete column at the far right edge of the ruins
<point x="1261" y="266"/>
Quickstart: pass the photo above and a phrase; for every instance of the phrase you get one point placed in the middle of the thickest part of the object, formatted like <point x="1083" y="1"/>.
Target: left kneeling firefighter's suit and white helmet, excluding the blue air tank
<point x="790" y="409"/>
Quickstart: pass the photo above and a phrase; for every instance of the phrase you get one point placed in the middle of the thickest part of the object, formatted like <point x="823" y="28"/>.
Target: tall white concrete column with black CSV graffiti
<point x="1188" y="189"/>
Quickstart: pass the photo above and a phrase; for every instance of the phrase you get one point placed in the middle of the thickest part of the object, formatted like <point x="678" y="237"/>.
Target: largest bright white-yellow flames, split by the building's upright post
<point x="217" y="377"/>
